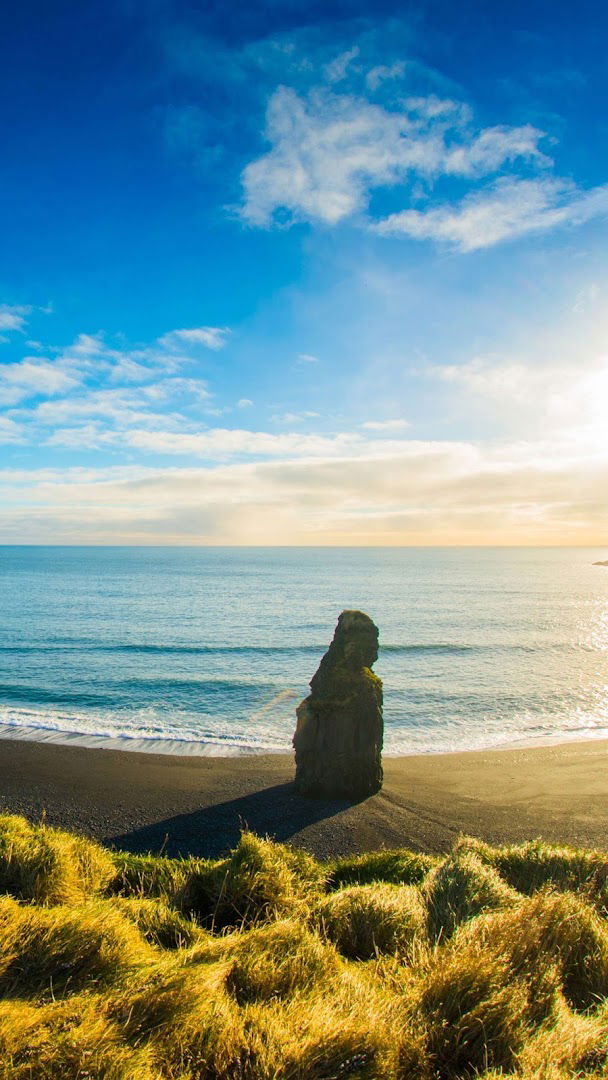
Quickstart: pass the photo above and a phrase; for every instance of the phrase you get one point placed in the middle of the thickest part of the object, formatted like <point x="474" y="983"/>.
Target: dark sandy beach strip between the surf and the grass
<point x="198" y="805"/>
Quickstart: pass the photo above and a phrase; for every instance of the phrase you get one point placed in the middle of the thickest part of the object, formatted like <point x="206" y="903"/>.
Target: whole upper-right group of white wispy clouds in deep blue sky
<point x="331" y="152"/>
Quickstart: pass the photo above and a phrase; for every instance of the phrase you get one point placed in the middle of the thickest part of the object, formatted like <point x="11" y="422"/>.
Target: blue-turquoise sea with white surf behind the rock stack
<point x="211" y="650"/>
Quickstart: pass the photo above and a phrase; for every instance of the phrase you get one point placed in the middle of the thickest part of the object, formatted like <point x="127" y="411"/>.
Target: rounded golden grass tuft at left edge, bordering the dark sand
<point x="49" y="866"/>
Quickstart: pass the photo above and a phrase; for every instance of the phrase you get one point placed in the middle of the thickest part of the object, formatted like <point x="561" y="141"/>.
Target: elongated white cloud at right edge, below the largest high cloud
<point x="511" y="208"/>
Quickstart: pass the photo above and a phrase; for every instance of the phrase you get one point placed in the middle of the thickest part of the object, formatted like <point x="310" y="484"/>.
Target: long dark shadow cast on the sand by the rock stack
<point x="277" y="812"/>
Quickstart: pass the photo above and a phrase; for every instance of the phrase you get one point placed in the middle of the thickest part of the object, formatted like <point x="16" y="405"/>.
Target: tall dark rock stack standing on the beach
<point x="339" y="738"/>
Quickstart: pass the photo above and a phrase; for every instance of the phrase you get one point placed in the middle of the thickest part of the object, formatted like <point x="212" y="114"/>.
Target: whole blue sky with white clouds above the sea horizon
<point x="304" y="274"/>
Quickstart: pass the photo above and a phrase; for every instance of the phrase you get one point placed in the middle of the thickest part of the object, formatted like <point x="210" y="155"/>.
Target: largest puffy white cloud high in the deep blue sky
<point x="329" y="152"/>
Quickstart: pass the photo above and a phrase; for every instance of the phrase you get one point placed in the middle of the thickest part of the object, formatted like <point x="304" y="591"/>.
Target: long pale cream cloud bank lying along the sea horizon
<point x="421" y="493"/>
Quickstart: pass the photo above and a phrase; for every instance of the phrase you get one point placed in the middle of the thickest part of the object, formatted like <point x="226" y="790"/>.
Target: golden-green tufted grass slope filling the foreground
<point x="269" y="965"/>
